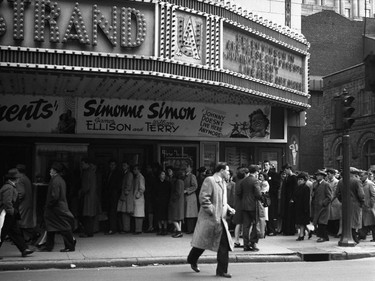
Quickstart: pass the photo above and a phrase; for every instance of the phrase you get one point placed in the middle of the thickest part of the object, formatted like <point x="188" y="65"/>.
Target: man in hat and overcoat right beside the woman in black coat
<point x="321" y="200"/>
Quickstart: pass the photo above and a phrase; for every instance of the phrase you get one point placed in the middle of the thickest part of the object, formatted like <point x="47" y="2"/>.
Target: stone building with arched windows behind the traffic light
<point x="362" y="134"/>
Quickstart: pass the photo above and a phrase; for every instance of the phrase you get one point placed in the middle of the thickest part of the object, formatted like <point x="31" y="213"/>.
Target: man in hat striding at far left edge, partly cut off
<point x="8" y="205"/>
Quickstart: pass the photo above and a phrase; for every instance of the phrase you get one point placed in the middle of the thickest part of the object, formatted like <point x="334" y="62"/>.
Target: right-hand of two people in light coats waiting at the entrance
<point x="139" y="199"/>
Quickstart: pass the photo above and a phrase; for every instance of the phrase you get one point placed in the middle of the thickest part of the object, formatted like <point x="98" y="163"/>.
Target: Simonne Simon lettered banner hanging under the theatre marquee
<point x="175" y="119"/>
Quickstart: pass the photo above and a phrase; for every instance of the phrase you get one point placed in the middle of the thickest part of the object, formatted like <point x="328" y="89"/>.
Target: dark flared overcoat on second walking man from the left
<point x="57" y="215"/>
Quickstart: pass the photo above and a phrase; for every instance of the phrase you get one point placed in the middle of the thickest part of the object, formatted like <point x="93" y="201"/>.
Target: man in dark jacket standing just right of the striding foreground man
<point x="249" y="192"/>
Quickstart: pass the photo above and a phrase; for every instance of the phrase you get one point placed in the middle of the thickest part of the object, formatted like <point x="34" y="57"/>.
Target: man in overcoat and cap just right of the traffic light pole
<point x="357" y="197"/>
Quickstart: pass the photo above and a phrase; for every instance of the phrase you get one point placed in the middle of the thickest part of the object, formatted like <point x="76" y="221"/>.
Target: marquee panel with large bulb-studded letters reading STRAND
<point x="104" y="26"/>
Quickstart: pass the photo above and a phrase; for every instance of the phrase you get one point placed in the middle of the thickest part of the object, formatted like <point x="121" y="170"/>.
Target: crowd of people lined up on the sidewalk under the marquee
<point x="128" y="199"/>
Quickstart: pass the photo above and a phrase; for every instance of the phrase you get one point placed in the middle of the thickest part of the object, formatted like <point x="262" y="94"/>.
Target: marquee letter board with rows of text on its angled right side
<point x="262" y="60"/>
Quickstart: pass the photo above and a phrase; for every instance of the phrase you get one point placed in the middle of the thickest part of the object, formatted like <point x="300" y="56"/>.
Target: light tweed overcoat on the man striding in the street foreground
<point x="212" y="215"/>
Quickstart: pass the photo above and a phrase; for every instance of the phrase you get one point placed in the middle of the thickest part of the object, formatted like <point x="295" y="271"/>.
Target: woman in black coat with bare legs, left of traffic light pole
<point x="302" y="204"/>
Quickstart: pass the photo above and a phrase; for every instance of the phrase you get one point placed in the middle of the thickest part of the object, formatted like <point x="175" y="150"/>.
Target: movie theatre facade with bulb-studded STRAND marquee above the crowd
<point x="177" y="82"/>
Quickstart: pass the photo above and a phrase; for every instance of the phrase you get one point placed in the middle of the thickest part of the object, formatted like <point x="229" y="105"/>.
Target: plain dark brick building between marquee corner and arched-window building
<point x="337" y="43"/>
